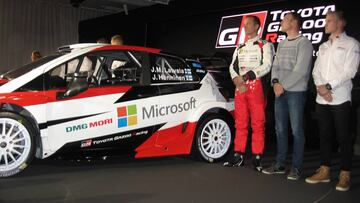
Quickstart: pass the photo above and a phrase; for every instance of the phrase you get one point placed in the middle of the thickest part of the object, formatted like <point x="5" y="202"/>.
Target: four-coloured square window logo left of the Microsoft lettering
<point x="127" y="116"/>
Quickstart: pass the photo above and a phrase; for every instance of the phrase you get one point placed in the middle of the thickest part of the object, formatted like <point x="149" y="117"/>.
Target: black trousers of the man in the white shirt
<point x="335" y="119"/>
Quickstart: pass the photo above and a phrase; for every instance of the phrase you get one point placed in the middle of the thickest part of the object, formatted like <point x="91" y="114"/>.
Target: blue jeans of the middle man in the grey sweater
<point x="290" y="105"/>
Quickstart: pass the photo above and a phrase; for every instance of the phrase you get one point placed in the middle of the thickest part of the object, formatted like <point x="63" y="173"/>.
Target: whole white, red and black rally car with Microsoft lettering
<point x="123" y="98"/>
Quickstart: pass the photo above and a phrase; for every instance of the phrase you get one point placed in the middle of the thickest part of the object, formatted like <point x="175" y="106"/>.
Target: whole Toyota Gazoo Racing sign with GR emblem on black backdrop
<point x="230" y="32"/>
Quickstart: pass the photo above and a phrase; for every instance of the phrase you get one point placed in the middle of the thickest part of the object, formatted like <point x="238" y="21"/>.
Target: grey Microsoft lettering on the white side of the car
<point x="155" y="111"/>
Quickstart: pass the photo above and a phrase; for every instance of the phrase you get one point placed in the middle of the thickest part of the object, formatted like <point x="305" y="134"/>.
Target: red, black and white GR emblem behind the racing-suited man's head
<point x="232" y="32"/>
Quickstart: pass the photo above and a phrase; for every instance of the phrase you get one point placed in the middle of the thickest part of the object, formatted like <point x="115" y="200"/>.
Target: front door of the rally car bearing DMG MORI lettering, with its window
<point x="106" y="115"/>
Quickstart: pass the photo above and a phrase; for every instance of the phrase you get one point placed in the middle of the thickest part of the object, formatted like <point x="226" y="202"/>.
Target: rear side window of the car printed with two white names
<point x="167" y="69"/>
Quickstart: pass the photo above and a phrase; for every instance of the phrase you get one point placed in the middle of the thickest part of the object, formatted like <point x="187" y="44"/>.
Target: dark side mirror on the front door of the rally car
<point x="77" y="85"/>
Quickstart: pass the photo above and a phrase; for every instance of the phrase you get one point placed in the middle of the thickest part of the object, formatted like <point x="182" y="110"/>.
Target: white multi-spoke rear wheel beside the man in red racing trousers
<point x="213" y="138"/>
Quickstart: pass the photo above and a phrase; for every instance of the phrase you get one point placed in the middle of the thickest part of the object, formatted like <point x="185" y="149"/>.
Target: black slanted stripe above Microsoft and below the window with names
<point x="141" y="92"/>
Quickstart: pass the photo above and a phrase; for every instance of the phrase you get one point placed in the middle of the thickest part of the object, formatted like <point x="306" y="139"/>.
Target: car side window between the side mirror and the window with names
<point x="121" y="67"/>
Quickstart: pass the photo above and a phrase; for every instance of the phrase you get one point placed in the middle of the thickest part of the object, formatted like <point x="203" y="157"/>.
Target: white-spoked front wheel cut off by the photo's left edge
<point x="16" y="143"/>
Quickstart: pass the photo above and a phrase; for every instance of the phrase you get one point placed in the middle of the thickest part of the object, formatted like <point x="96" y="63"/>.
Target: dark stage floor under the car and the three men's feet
<point x="170" y="179"/>
